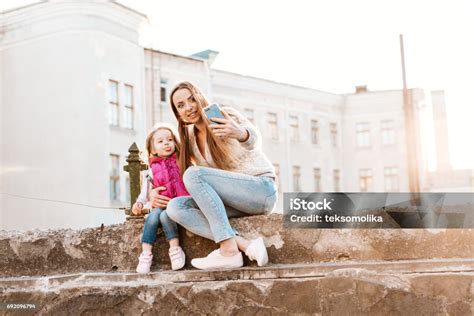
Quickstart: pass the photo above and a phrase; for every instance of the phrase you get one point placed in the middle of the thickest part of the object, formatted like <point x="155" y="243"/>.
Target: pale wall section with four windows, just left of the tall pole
<point x="373" y="108"/>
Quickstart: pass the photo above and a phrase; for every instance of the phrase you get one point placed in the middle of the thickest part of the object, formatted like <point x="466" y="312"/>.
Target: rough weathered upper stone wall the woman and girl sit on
<point x="116" y="248"/>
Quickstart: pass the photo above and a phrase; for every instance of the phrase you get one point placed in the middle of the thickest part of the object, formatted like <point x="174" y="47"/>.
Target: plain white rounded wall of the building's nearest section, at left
<point x="56" y="139"/>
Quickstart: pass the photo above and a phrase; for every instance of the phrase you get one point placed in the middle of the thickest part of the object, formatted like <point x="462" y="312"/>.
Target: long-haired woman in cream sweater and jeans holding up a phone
<point x="231" y="177"/>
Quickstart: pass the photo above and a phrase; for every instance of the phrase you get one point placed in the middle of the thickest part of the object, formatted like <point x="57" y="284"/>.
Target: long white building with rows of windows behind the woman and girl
<point x="77" y="89"/>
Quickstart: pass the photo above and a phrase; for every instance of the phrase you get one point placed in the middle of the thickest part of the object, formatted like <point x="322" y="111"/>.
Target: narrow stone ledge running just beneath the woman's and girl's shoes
<point x="284" y="271"/>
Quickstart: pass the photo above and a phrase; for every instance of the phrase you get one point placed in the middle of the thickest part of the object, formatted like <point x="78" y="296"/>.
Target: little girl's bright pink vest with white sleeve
<point x="162" y="172"/>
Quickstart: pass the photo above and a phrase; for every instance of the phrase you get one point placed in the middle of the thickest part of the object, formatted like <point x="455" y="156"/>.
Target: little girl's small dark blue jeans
<point x="156" y="217"/>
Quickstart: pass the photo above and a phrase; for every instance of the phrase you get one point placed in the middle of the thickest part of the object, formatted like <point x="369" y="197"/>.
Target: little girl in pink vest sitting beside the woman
<point x="162" y="147"/>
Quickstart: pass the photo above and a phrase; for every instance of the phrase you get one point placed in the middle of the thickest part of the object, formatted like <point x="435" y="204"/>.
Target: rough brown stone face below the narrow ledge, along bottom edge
<point x="341" y="292"/>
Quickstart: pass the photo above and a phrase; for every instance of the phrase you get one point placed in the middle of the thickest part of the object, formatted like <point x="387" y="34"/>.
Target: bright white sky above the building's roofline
<point x="331" y="45"/>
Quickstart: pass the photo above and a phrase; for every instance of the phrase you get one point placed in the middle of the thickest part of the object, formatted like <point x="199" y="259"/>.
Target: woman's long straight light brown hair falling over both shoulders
<point x="219" y="149"/>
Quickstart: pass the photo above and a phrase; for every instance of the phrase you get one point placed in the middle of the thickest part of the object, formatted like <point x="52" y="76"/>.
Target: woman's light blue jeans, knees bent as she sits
<point x="217" y="195"/>
